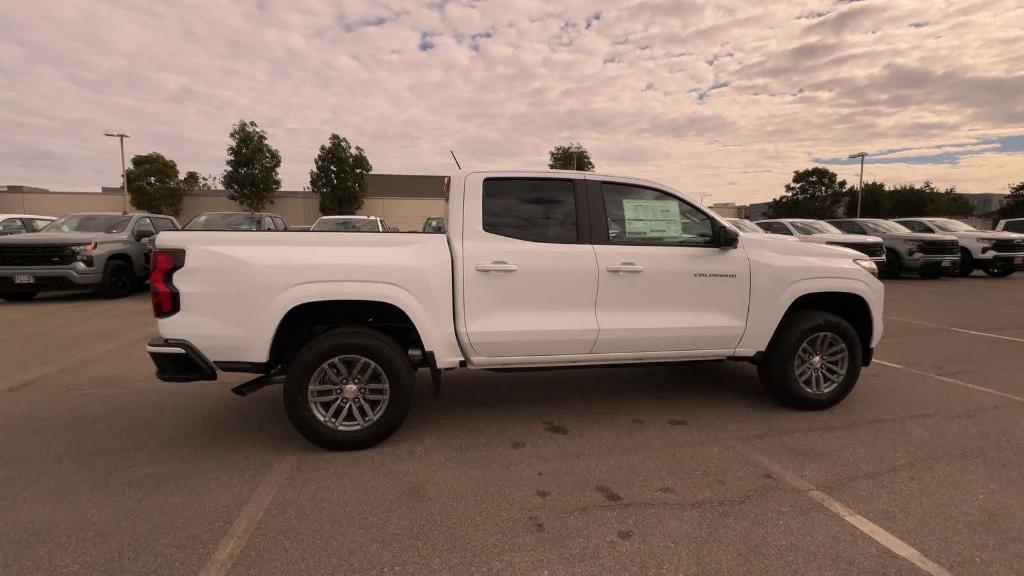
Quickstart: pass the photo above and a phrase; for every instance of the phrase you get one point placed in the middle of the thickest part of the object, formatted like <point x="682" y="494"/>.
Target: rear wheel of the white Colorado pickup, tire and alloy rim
<point x="350" y="389"/>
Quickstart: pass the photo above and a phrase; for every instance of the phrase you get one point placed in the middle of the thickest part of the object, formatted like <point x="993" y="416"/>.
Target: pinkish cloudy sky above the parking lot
<point x="726" y="98"/>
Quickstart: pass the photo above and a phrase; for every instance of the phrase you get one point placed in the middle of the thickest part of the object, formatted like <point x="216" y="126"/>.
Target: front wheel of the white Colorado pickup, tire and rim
<point x="814" y="362"/>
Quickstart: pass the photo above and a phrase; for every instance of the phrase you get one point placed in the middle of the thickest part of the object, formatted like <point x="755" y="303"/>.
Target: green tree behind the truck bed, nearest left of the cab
<point x="339" y="177"/>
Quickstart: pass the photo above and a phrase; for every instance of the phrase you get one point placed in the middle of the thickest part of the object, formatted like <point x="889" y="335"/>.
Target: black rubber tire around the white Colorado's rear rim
<point x="371" y="345"/>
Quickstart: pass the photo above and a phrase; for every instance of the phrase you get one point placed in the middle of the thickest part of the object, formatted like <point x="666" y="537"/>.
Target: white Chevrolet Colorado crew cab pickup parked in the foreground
<point x="537" y="270"/>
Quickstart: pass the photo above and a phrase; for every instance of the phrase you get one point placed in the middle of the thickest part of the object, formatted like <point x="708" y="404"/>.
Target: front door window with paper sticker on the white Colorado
<point x="649" y="217"/>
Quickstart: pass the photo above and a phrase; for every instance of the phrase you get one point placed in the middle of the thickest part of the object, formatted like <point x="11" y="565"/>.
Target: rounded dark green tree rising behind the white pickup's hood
<point x="815" y="193"/>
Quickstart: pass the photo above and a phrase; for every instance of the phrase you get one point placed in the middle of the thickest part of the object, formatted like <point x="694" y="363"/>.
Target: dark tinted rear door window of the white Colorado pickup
<point x="538" y="211"/>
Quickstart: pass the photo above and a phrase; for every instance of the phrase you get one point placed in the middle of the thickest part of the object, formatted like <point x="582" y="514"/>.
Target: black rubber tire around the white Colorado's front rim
<point x="778" y="369"/>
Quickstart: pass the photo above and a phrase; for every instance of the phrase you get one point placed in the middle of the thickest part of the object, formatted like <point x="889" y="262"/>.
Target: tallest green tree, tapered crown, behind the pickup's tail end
<point x="251" y="178"/>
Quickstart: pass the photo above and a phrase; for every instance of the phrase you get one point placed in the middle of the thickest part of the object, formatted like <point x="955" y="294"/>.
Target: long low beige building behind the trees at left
<point x="404" y="201"/>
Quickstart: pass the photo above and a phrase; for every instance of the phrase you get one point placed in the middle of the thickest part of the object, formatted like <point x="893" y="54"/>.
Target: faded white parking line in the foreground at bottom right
<point x="874" y="531"/>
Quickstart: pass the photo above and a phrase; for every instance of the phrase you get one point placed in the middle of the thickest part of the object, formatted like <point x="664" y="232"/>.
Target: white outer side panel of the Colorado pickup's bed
<point x="237" y="286"/>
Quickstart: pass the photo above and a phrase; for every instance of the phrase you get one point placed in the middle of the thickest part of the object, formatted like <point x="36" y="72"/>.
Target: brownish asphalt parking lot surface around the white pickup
<point x="673" y="470"/>
